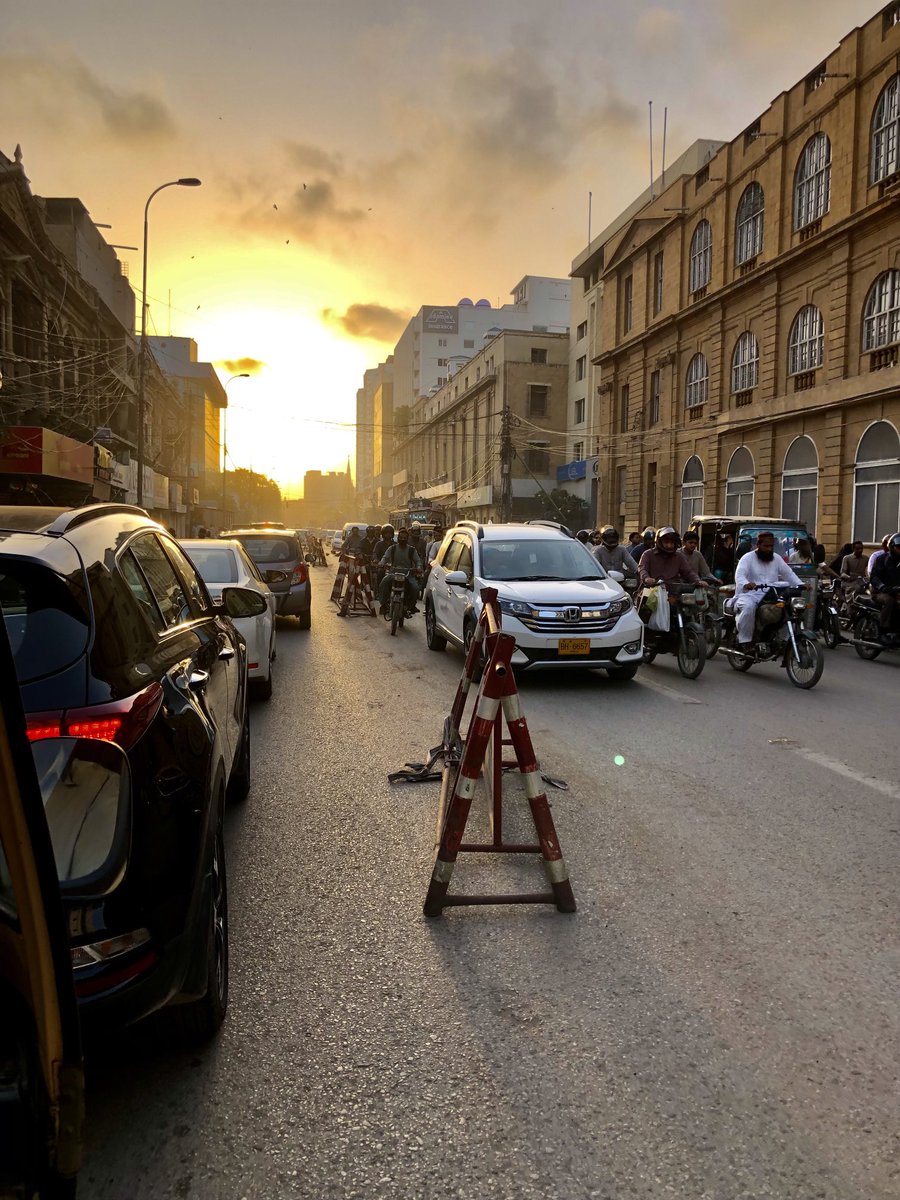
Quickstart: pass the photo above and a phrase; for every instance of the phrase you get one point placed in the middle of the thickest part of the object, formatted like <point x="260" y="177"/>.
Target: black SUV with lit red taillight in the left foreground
<point x="115" y="637"/>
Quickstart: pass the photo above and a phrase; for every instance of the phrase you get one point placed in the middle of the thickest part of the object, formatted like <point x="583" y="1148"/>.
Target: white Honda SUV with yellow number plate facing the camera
<point x="559" y="603"/>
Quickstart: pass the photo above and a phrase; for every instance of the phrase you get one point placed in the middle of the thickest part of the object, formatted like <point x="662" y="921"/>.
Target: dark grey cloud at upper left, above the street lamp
<point x="65" y="92"/>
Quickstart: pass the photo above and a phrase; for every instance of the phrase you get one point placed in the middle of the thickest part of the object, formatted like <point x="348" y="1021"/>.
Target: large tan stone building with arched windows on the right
<point x="749" y="351"/>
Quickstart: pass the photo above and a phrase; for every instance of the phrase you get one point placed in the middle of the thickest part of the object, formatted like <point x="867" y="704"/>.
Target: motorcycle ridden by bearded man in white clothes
<point x="778" y="634"/>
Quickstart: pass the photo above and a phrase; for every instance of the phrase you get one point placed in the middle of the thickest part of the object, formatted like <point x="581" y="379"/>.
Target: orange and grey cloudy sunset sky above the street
<point x="363" y="158"/>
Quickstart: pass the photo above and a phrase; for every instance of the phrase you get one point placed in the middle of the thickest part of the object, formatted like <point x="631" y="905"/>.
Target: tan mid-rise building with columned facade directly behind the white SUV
<point x="507" y="405"/>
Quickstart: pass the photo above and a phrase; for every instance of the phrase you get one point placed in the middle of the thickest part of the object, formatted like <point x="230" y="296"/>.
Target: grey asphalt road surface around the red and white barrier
<point x="721" y="1018"/>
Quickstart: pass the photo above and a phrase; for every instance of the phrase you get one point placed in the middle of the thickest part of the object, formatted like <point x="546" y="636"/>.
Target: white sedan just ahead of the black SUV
<point x="223" y="563"/>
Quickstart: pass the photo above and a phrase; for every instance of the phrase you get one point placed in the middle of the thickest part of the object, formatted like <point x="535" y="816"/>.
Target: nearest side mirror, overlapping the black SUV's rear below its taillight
<point x="86" y="787"/>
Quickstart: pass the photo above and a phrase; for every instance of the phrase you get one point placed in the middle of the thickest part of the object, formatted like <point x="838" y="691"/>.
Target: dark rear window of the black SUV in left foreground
<point x="47" y="627"/>
